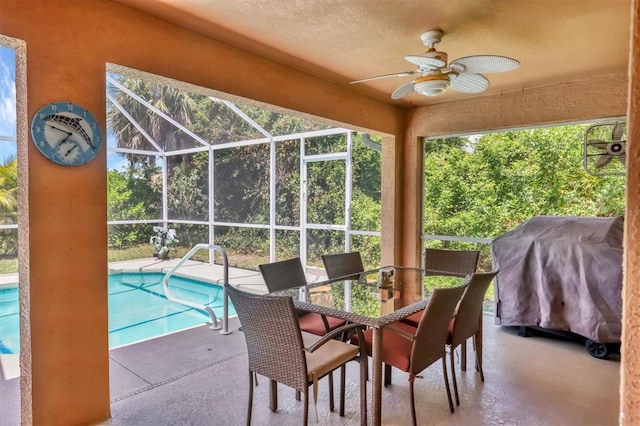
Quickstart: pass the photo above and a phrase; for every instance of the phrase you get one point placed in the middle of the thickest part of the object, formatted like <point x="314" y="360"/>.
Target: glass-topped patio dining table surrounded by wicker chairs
<point x="374" y="298"/>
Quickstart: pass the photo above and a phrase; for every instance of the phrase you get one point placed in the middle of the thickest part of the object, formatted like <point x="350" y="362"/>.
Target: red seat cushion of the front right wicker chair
<point x="396" y="349"/>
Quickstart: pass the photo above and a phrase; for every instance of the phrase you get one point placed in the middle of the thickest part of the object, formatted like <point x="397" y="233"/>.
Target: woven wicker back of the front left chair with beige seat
<point x="271" y="331"/>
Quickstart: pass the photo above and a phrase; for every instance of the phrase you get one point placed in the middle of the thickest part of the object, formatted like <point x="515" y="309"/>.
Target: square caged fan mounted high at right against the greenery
<point x="603" y="143"/>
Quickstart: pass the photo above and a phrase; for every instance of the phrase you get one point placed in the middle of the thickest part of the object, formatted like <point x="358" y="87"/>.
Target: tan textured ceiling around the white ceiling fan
<point x="345" y="40"/>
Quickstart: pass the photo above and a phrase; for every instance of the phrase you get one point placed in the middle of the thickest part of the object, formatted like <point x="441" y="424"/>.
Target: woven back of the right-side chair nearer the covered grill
<point x="467" y="317"/>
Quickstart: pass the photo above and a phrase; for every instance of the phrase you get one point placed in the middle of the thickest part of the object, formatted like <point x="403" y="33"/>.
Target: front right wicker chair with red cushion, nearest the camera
<point x="412" y="349"/>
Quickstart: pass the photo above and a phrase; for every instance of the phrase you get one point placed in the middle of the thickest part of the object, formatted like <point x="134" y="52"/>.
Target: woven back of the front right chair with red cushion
<point x="433" y="329"/>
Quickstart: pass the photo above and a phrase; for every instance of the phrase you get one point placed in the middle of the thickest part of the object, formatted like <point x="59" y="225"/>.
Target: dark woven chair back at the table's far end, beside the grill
<point x="456" y="263"/>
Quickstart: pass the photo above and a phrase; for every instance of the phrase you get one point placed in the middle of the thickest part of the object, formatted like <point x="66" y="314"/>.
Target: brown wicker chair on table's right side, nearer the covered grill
<point x="467" y="323"/>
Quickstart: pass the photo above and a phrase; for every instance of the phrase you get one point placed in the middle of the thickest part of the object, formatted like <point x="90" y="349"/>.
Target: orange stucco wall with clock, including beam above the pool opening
<point x="65" y="371"/>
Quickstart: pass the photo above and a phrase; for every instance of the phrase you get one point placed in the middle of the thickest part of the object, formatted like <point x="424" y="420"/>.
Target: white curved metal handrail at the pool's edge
<point x="207" y="309"/>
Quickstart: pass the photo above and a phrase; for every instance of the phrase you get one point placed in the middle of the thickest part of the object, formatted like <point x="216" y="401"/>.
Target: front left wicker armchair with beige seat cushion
<point x="278" y="350"/>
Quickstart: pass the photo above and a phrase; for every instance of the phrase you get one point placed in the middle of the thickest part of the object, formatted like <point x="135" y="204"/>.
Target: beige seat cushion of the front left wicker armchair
<point x="327" y="357"/>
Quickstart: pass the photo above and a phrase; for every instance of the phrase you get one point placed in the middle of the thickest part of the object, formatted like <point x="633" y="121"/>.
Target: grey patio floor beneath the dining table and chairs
<point x="199" y="377"/>
